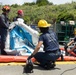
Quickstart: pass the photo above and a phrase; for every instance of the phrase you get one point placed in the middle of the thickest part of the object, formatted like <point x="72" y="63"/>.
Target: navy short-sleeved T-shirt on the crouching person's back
<point x="50" y="41"/>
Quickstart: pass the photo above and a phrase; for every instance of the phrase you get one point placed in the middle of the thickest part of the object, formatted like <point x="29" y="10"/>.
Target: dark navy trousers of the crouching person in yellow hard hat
<point x="45" y="57"/>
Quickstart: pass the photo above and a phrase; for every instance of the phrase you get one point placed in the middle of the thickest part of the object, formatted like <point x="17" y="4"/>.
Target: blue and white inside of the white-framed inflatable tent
<point x="20" y="38"/>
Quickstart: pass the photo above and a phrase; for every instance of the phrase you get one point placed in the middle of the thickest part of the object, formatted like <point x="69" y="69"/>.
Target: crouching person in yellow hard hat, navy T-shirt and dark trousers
<point x="51" y="51"/>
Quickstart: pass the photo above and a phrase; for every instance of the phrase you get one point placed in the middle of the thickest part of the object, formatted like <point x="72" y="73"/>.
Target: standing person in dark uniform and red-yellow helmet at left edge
<point x="4" y="26"/>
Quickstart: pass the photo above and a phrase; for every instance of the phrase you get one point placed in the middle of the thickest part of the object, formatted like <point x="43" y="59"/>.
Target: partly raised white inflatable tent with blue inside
<point x="21" y="39"/>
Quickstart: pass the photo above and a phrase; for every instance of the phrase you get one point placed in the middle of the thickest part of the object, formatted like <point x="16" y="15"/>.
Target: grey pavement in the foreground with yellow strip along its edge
<point x="62" y="68"/>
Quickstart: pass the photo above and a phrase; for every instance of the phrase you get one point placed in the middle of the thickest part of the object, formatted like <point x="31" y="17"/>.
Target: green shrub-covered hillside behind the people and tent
<point x="52" y="13"/>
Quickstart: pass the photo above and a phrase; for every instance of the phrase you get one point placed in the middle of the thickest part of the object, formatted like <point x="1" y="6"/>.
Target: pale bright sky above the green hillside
<point x="20" y="2"/>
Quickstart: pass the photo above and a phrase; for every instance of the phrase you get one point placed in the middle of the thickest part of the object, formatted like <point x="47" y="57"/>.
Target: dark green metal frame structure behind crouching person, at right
<point x="65" y="32"/>
